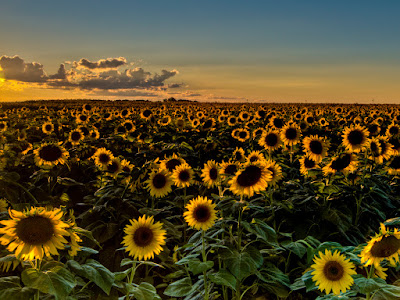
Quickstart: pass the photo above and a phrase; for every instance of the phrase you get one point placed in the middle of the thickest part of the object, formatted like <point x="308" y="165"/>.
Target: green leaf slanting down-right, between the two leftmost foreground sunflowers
<point x="95" y="272"/>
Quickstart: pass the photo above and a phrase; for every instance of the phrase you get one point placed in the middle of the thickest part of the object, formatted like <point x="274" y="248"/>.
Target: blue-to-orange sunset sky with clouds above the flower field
<point x="235" y="51"/>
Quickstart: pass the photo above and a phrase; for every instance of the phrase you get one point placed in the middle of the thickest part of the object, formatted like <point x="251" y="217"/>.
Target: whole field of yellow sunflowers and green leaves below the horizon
<point x="186" y="200"/>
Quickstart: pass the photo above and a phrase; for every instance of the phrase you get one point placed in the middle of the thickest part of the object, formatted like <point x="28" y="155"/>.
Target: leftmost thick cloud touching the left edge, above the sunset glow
<point x="15" y="68"/>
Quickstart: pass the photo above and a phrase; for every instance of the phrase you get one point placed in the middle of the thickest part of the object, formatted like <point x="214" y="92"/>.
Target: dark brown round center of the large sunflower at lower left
<point x="35" y="230"/>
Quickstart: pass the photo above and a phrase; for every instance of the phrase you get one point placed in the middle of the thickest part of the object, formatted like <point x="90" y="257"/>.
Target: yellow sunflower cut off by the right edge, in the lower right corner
<point x="384" y="246"/>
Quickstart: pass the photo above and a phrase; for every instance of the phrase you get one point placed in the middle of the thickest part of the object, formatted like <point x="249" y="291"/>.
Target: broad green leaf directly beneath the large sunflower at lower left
<point x="57" y="281"/>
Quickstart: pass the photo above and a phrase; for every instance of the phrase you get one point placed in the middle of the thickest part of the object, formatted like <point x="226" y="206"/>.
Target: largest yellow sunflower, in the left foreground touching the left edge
<point x="34" y="233"/>
